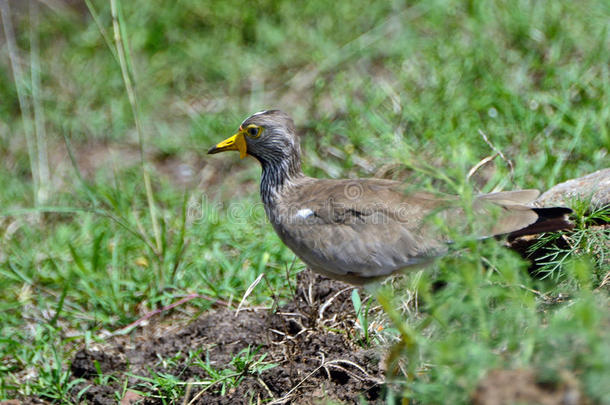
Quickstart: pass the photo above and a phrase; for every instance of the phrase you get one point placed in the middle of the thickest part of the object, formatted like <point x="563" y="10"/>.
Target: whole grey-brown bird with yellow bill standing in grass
<point x="364" y="230"/>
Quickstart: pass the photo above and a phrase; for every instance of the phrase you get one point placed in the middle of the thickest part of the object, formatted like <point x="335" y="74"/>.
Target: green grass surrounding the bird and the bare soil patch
<point x="411" y="83"/>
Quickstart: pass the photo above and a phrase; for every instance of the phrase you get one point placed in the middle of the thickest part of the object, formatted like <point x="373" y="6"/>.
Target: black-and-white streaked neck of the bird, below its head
<point x="278" y="174"/>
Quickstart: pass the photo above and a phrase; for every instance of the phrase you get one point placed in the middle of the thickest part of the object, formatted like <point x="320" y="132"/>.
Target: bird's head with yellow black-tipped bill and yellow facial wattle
<point x="268" y="136"/>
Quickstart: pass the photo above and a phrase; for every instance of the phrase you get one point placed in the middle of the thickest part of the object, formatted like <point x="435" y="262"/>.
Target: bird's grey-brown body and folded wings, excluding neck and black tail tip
<point x="371" y="228"/>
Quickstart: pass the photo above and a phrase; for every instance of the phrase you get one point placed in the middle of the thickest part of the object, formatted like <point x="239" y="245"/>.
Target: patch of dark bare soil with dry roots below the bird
<point x="315" y="358"/>
